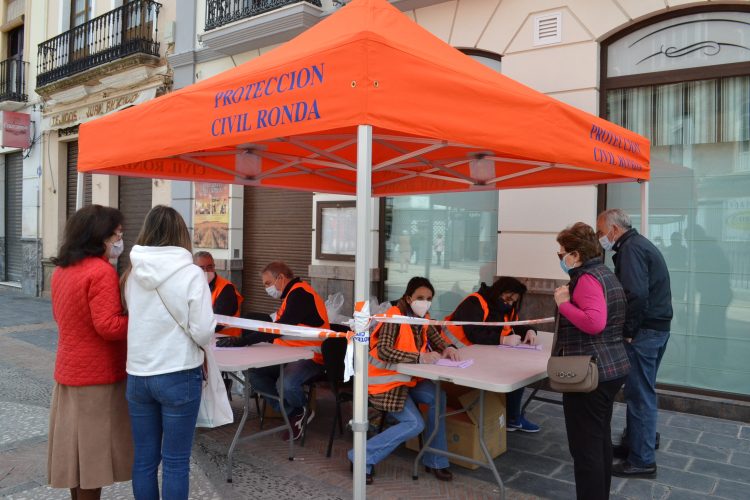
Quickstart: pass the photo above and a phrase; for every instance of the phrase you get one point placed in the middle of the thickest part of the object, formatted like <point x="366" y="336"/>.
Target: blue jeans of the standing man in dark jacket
<point x="645" y="353"/>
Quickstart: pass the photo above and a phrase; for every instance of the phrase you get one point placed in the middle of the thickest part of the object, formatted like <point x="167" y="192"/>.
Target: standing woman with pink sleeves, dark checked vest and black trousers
<point x="592" y="314"/>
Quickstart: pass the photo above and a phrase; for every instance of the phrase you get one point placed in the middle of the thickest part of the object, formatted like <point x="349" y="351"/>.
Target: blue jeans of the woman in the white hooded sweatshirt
<point x="163" y="410"/>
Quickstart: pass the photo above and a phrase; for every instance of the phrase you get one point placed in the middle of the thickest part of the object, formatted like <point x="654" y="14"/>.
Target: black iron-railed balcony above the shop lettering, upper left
<point x="122" y="32"/>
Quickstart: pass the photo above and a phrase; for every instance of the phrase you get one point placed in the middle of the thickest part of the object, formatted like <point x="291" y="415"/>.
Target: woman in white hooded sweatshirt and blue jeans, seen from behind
<point x="171" y="318"/>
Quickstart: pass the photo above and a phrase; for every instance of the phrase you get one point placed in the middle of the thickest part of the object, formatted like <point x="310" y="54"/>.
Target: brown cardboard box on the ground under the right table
<point x="462" y="430"/>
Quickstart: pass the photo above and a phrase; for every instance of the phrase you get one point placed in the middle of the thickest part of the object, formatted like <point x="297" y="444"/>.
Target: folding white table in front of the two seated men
<point x="244" y="359"/>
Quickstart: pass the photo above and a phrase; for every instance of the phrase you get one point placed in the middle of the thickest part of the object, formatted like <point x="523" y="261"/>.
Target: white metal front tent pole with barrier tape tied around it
<point x="362" y="293"/>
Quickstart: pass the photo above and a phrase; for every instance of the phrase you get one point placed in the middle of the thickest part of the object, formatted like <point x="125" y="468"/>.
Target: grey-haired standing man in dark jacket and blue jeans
<point x="641" y="269"/>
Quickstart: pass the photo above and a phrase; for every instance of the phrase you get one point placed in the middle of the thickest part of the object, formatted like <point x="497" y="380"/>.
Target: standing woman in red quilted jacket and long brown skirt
<point x="89" y="435"/>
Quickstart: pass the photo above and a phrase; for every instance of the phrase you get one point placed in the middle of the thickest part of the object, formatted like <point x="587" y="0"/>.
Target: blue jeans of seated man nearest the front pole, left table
<point x="295" y="374"/>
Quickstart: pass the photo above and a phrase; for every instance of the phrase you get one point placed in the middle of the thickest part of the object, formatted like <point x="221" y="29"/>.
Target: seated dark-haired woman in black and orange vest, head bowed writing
<point x="499" y="302"/>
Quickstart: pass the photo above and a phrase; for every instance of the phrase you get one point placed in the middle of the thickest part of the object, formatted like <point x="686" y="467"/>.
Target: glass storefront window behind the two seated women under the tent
<point x="451" y="239"/>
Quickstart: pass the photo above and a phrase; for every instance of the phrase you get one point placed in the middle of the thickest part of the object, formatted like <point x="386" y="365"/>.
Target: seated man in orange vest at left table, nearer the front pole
<point x="300" y="305"/>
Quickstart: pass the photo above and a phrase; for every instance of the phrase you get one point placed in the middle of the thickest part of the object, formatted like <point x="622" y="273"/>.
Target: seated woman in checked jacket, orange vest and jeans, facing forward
<point x="399" y="394"/>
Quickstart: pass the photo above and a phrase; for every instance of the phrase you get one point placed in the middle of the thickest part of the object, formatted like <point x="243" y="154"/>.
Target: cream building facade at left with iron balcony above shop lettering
<point x="96" y="58"/>
